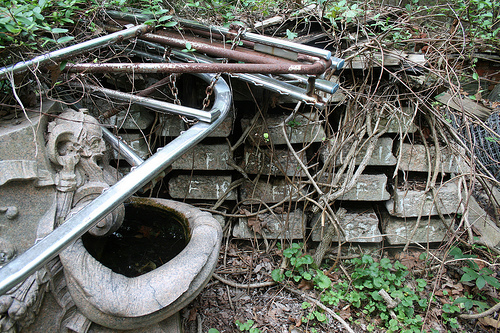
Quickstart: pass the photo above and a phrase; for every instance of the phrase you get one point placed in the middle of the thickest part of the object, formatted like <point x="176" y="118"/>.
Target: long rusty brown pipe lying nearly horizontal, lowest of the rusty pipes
<point x="143" y="68"/>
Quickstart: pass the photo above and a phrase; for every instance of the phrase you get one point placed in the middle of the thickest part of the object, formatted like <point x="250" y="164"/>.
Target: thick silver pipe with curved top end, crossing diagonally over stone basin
<point x="39" y="254"/>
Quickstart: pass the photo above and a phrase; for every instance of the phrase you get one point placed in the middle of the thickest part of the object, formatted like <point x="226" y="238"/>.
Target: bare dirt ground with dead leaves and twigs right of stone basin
<point x="234" y="294"/>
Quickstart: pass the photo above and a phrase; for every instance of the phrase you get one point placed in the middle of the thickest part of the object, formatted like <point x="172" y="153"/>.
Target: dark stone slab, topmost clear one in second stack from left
<point x="303" y="128"/>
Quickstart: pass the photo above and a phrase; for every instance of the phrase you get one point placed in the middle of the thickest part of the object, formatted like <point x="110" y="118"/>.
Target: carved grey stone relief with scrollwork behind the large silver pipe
<point x="75" y="148"/>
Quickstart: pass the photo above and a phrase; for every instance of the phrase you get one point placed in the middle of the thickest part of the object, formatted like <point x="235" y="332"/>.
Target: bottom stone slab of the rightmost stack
<point x="398" y="230"/>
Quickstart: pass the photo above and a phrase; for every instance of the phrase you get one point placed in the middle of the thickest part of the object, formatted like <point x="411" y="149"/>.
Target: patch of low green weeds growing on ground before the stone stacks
<point x="367" y="279"/>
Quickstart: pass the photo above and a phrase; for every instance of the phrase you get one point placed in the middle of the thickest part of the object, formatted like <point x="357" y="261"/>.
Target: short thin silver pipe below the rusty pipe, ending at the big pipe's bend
<point x="160" y="106"/>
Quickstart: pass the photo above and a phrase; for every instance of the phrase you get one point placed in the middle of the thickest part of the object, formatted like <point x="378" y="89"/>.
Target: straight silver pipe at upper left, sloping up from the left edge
<point x="73" y="50"/>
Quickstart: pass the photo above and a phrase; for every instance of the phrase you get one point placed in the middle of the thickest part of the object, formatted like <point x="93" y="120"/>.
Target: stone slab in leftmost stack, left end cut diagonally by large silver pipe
<point x="204" y="157"/>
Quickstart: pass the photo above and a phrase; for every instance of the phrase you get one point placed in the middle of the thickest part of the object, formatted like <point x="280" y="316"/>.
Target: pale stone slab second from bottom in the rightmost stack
<point x="408" y="203"/>
